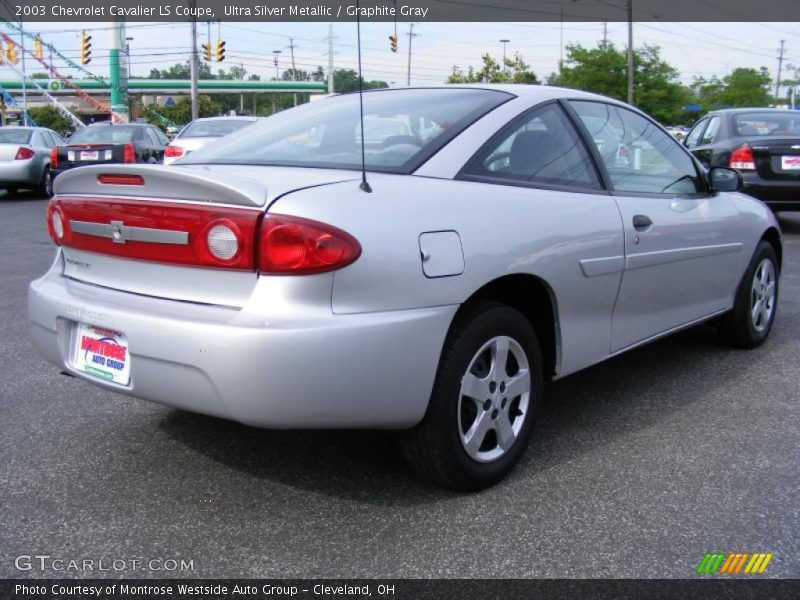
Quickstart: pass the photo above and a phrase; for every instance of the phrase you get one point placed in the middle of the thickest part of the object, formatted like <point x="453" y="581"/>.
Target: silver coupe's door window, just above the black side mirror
<point x="645" y="159"/>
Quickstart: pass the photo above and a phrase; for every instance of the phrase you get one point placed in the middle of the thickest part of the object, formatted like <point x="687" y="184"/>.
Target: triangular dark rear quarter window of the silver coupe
<point x="541" y="147"/>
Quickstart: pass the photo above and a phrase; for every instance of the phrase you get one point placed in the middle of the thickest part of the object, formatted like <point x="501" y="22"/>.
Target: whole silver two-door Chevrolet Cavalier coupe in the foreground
<point x="505" y="242"/>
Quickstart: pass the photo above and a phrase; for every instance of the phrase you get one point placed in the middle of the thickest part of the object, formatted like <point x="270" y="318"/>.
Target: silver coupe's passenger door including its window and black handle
<point x="682" y="244"/>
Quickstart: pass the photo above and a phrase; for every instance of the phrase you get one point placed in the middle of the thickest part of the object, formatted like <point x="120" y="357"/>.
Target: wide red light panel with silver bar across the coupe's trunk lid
<point x="215" y="236"/>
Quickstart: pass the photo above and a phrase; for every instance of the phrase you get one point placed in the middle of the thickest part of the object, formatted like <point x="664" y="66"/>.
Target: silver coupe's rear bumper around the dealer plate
<point x="372" y="370"/>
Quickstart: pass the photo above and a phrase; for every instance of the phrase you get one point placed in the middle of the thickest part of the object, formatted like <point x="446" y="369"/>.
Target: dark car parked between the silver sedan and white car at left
<point x="102" y="143"/>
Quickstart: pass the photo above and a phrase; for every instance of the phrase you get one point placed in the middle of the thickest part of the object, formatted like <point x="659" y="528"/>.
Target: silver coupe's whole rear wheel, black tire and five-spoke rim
<point x="481" y="412"/>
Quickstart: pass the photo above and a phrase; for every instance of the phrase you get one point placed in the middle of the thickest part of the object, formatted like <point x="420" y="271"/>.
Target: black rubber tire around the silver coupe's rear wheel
<point x="434" y="448"/>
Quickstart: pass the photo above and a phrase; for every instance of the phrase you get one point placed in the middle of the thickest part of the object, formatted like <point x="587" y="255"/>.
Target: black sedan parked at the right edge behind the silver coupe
<point x="763" y="144"/>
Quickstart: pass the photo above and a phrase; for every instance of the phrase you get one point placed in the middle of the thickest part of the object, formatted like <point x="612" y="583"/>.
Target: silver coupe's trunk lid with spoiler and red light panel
<point x="148" y="229"/>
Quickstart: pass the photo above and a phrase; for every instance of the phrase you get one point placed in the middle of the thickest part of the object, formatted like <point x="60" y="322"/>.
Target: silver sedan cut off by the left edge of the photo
<point x="25" y="158"/>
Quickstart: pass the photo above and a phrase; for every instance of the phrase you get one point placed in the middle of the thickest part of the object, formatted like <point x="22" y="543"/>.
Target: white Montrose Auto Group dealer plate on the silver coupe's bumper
<point x="102" y="353"/>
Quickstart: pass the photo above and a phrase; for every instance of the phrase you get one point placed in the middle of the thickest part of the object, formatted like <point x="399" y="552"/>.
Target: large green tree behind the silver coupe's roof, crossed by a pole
<point x="604" y="70"/>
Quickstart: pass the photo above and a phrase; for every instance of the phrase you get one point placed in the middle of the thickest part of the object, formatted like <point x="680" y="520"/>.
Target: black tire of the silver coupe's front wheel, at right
<point x="737" y="328"/>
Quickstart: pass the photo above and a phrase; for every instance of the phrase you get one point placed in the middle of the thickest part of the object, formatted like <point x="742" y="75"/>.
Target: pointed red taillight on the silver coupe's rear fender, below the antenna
<point x="297" y="246"/>
